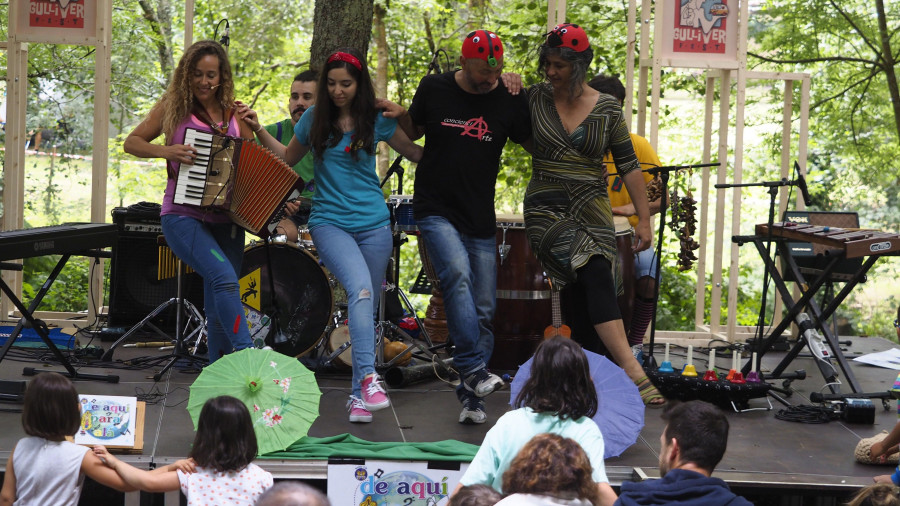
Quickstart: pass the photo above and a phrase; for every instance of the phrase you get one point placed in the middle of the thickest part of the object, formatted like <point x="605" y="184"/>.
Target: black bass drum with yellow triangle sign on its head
<point x="294" y="293"/>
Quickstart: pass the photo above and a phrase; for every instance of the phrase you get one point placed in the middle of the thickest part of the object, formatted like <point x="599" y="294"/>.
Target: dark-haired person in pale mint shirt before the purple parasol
<point x="559" y="397"/>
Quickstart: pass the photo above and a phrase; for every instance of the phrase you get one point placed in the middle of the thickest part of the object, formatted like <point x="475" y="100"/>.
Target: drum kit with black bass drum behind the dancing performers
<point x="301" y="309"/>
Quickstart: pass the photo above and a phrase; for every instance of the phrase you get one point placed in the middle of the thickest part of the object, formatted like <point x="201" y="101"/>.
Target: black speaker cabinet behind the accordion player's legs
<point x="135" y="289"/>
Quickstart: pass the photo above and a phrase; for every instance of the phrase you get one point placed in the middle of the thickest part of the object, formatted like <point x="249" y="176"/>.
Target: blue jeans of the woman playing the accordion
<point x="215" y="251"/>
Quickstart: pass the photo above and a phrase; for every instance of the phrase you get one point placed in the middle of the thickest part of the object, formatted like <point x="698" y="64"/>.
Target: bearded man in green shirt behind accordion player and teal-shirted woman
<point x="303" y="96"/>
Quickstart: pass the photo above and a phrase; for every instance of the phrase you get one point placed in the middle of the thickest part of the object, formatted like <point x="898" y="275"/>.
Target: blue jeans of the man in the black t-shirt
<point x="467" y="269"/>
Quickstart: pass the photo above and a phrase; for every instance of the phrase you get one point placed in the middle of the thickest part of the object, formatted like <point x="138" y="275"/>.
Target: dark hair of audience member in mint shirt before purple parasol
<point x="560" y="381"/>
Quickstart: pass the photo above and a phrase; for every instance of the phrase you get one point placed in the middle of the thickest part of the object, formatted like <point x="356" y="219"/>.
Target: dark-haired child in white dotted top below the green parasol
<point x="223" y="452"/>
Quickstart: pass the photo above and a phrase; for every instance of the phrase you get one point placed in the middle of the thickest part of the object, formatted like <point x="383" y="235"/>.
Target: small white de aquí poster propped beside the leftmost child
<point x="107" y="420"/>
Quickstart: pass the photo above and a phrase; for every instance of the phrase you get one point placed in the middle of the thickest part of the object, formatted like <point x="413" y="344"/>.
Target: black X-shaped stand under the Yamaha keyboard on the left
<point x="40" y="327"/>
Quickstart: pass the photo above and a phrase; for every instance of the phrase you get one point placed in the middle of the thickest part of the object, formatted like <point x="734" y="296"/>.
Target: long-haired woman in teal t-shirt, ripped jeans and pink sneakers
<point x="349" y="223"/>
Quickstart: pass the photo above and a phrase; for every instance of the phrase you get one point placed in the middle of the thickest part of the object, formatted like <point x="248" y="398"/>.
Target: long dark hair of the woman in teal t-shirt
<point x="325" y="131"/>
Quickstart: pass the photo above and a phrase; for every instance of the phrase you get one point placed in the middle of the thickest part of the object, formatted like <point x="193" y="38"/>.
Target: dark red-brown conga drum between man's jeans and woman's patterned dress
<point x="523" y="296"/>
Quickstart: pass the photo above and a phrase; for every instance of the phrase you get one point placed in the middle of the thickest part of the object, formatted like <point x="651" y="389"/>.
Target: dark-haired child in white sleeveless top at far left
<point x="45" y="468"/>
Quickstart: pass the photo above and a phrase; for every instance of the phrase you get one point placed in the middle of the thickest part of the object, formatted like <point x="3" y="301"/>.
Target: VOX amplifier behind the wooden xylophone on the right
<point x="810" y="258"/>
